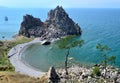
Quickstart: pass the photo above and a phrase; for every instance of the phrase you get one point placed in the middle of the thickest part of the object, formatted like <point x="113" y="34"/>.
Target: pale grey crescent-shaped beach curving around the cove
<point x="15" y="59"/>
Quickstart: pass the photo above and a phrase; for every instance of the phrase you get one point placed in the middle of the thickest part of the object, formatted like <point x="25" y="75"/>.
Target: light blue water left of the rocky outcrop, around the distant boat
<point x="15" y="17"/>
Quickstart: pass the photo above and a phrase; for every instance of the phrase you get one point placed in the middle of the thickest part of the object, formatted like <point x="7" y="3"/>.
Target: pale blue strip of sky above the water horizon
<point x="64" y="3"/>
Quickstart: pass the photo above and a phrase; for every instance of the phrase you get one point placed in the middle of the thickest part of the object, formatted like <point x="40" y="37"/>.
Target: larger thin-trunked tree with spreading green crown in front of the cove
<point x="67" y="43"/>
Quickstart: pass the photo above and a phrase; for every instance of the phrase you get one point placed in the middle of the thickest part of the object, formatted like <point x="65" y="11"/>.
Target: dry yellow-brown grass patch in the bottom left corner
<point x="11" y="77"/>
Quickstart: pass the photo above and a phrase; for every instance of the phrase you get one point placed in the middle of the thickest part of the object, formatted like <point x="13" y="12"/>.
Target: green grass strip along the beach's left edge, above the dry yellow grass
<point x="5" y="47"/>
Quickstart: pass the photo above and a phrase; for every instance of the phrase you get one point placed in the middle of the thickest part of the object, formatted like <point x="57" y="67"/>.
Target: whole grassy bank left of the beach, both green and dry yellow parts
<point x="7" y="74"/>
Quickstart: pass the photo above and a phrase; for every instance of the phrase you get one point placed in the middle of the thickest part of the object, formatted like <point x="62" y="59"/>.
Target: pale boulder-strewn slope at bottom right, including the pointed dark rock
<point x="81" y="74"/>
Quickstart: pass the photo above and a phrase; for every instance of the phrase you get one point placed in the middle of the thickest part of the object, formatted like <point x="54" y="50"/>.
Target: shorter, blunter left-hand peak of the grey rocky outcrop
<point x="31" y="26"/>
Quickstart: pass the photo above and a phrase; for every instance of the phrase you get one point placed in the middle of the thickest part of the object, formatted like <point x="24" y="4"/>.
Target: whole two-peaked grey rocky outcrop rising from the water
<point x="57" y="24"/>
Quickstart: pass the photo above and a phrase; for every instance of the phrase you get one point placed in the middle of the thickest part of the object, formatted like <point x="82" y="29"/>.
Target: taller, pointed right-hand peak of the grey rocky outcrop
<point x="59" y="19"/>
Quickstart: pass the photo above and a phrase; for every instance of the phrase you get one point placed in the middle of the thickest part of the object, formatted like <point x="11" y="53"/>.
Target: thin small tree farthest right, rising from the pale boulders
<point x="104" y="49"/>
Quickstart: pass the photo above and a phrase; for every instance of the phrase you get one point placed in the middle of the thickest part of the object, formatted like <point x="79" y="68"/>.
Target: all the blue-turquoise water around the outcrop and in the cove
<point x="98" y="26"/>
